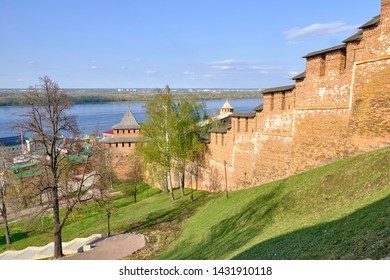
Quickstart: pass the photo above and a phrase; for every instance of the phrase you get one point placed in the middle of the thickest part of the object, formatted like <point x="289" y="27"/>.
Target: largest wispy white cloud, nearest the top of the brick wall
<point x="319" y="30"/>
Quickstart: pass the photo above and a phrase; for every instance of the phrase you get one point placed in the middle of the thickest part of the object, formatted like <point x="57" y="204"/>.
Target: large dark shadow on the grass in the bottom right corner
<point x="361" y="235"/>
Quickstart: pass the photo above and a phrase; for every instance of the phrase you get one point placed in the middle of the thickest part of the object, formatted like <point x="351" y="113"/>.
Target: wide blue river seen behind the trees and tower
<point x="101" y="117"/>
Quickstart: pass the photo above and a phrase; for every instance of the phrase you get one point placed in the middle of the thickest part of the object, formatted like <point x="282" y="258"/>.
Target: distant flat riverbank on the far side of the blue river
<point x="101" y="96"/>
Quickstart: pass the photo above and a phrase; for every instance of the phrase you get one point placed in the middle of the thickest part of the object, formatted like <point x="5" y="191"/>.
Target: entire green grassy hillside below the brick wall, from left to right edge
<point x="337" y="211"/>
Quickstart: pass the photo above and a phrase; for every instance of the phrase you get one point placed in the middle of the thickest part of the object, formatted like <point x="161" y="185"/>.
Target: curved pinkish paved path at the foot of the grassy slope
<point x="112" y="248"/>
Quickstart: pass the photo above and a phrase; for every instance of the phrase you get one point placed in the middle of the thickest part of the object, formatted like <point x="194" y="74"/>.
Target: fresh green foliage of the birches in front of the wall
<point x="172" y="132"/>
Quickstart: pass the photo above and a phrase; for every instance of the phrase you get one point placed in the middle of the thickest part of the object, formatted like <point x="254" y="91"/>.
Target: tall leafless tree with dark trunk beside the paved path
<point x="66" y="176"/>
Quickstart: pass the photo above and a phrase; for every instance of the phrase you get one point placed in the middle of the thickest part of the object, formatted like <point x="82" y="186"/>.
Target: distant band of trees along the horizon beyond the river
<point x="17" y="99"/>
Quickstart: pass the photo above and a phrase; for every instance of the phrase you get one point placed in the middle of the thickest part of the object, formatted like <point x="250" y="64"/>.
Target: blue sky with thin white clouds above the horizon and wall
<point x="151" y="43"/>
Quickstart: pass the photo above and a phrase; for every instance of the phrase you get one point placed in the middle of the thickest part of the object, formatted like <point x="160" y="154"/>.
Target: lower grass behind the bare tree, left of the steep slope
<point x="153" y="214"/>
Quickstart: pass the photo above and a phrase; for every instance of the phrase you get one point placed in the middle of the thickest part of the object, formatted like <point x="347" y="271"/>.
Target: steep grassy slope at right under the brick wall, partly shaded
<point x="338" y="211"/>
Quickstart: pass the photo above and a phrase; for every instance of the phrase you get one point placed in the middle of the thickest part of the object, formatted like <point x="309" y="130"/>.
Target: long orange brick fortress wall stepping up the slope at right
<point x="340" y="106"/>
